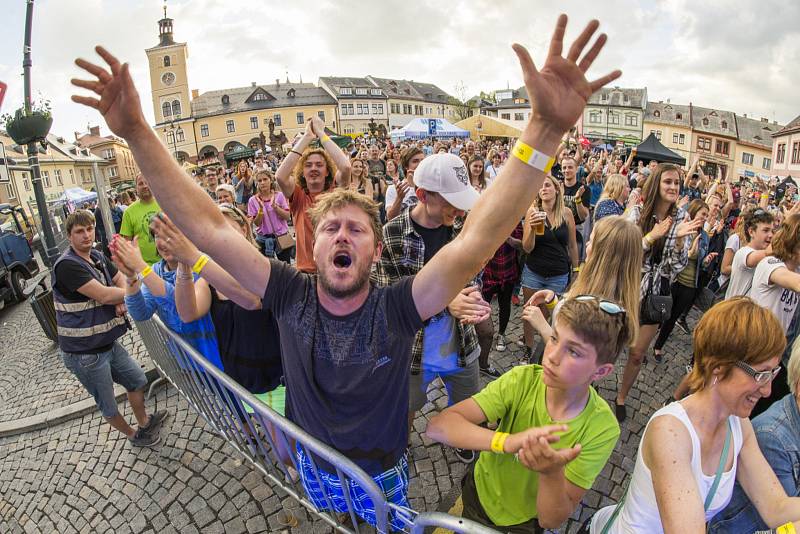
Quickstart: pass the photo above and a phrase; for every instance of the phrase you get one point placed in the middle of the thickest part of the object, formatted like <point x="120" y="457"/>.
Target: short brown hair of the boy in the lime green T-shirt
<point x="608" y="334"/>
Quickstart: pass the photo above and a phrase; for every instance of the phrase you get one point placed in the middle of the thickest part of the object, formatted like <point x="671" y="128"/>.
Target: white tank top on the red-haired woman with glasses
<point x="639" y="513"/>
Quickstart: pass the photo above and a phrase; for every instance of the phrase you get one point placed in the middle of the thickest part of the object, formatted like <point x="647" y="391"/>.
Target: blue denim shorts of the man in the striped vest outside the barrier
<point x="98" y="373"/>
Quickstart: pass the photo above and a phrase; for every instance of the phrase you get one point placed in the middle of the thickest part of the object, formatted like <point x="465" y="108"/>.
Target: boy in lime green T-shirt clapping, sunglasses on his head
<point x="555" y="432"/>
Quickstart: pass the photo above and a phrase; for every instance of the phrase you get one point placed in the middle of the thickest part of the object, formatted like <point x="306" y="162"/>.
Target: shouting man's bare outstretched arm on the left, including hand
<point x="190" y="208"/>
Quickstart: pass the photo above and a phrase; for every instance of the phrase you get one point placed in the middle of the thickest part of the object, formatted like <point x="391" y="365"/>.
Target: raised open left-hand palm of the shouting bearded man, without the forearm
<point x="119" y="102"/>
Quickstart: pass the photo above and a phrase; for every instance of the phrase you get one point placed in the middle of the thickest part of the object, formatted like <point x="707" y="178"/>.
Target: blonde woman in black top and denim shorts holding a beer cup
<point x="548" y="237"/>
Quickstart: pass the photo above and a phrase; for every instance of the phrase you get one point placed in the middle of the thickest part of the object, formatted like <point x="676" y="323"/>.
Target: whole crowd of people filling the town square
<point x="387" y="283"/>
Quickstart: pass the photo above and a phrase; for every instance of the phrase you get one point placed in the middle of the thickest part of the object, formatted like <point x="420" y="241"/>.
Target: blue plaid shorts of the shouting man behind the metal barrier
<point x="393" y="483"/>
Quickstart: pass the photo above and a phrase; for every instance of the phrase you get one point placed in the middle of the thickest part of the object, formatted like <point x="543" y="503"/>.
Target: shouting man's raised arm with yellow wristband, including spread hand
<point x="558" y="96"/>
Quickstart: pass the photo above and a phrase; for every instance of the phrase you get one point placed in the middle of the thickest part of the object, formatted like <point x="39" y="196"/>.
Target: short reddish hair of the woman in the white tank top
<point x="736" y="329"/>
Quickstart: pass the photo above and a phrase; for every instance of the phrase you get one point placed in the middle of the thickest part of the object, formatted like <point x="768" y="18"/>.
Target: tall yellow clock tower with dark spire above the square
<point x="169" y="85"/>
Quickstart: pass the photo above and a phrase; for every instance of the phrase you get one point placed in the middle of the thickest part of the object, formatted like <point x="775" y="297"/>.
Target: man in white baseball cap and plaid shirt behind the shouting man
<point x="447" y="347"/>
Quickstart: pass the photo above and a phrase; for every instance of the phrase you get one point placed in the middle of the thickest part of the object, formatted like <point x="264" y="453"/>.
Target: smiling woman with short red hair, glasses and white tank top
<point x="692" y="451"/>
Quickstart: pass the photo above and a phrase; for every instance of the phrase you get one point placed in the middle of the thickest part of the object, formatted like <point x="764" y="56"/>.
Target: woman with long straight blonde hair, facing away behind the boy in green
<point x="612" y="272"/>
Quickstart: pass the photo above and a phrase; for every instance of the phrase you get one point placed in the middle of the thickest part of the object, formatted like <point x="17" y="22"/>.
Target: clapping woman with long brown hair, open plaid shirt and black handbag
<point x="667" y="235"/>
